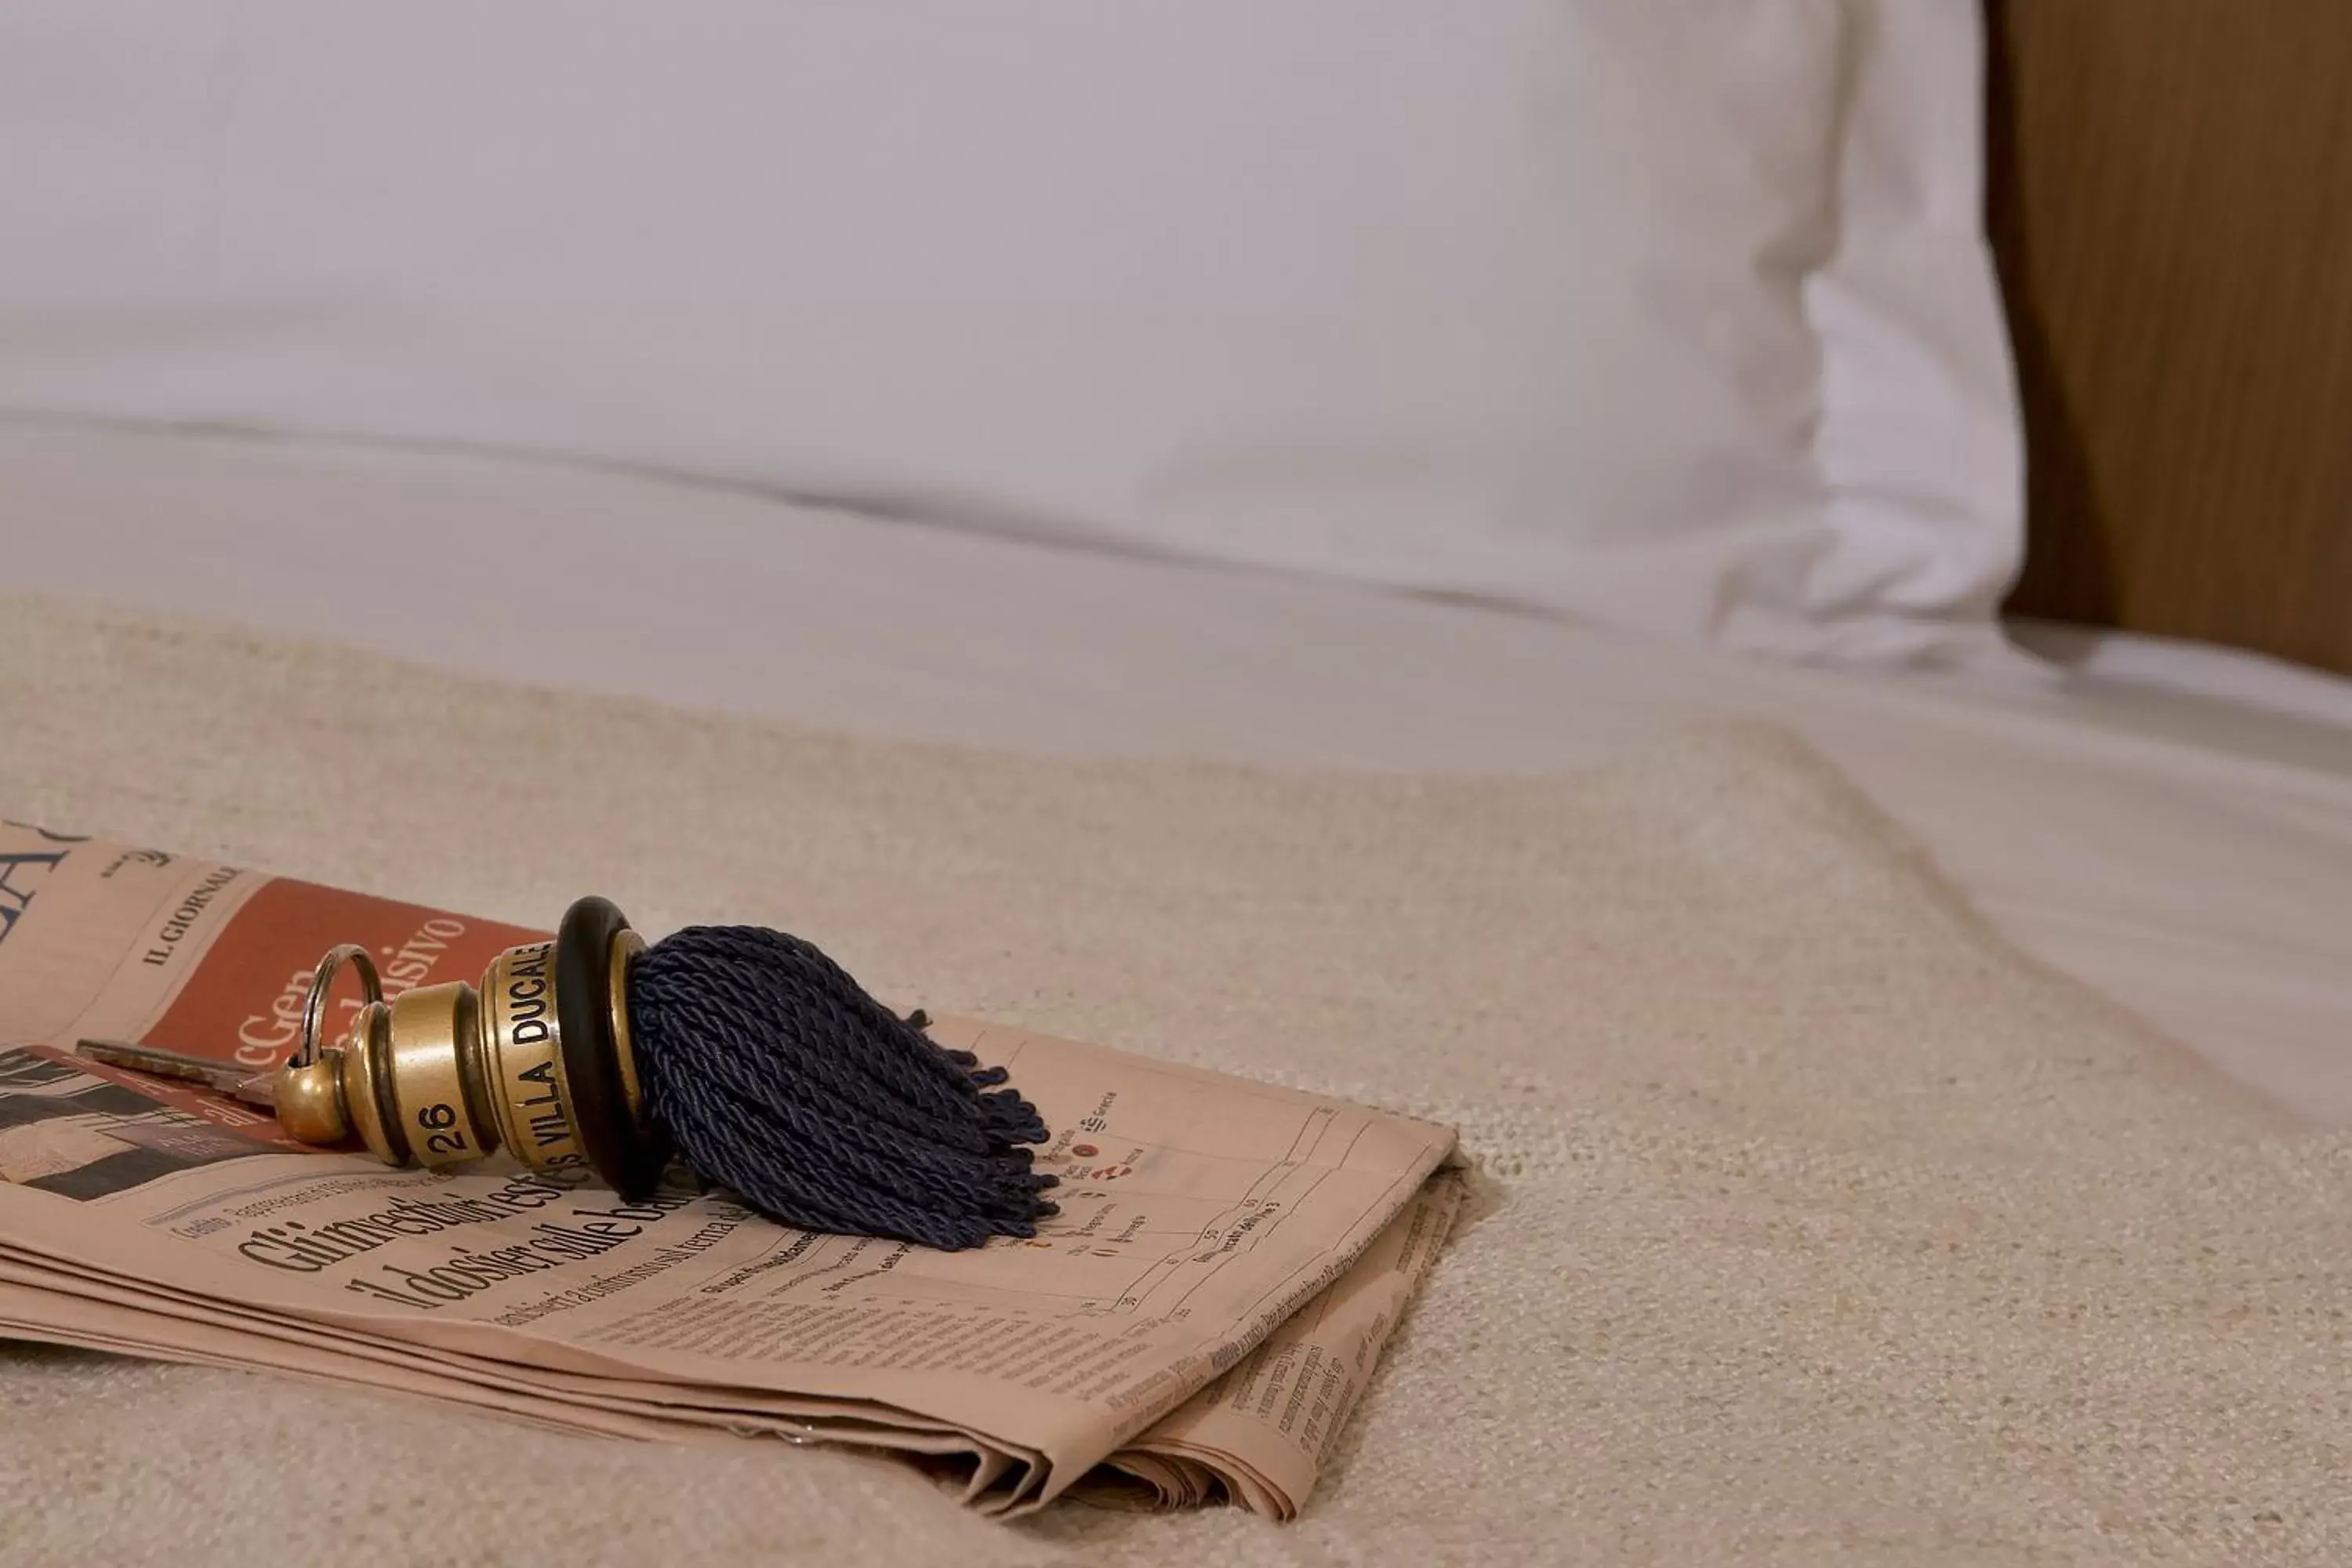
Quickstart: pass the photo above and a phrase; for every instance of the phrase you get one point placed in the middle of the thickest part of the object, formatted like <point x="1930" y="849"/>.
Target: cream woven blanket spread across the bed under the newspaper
<point x="1815" y="1226"/>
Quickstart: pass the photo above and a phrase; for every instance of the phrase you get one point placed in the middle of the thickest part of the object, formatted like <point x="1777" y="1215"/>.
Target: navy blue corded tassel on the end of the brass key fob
<point x="784" y="1083"/>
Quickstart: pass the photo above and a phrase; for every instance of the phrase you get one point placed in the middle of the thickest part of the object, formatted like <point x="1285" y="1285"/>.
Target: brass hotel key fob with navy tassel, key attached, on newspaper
<point x="594" y="1057"/>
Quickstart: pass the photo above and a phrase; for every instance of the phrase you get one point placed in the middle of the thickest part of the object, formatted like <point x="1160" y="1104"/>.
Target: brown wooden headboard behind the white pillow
<point x="2172" y="208"/>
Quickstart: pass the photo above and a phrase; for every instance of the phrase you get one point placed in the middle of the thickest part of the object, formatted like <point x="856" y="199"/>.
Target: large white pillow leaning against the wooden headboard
<point x="1669" y="314"/>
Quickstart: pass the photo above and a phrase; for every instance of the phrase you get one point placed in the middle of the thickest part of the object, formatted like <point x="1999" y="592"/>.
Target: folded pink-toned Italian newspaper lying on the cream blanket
<point x="1196" y="1325"/>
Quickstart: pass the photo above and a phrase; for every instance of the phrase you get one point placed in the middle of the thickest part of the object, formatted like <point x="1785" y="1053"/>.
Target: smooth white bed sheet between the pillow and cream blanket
<point x="2170" y="824"/>
